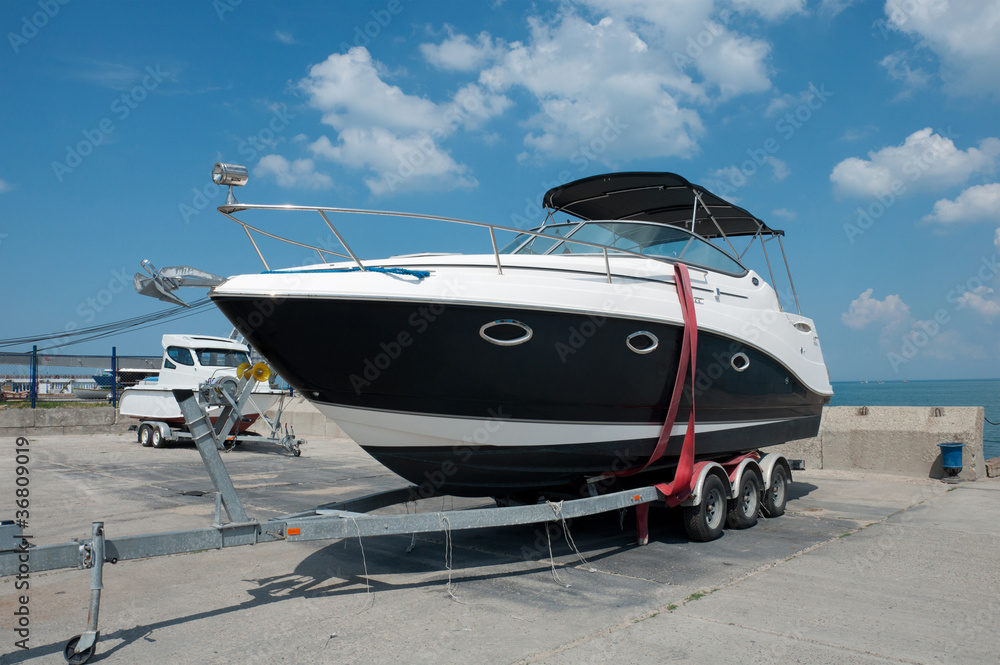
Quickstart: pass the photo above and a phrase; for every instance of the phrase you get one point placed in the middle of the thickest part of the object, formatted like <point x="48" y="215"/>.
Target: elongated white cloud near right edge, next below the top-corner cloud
<point x="925" y="156"/>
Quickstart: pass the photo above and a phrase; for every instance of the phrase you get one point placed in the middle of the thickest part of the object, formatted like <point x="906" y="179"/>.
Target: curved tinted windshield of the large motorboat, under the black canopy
<point x="658" y="240"/>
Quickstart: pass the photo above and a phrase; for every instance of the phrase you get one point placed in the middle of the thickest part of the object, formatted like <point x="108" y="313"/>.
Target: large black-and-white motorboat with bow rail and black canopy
<point x="546" y="362"/>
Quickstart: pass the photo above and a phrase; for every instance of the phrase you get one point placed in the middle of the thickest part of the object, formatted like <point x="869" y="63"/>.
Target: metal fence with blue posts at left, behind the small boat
<point x="34" y="376"/>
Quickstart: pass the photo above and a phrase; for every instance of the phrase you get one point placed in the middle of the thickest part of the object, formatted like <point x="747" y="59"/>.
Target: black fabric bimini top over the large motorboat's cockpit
<point x="666" y="198"/>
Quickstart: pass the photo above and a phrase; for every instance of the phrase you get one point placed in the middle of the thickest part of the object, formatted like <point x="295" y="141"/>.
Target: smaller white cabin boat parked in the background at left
<point x="188" y="362"/>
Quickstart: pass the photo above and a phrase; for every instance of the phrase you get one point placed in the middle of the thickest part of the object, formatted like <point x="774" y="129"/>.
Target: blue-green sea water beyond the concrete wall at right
<point x="985" y="393"/>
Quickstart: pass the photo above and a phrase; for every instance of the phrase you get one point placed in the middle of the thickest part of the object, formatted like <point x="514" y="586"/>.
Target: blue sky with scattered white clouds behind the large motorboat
<point x="868" y="131"/>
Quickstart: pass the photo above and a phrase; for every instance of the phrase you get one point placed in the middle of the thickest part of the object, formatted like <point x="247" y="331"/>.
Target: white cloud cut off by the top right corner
<point x="962" y="33"/>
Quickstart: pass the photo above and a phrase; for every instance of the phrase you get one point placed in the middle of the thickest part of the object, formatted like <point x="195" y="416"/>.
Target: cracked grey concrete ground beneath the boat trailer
<point x="862" y="569"/>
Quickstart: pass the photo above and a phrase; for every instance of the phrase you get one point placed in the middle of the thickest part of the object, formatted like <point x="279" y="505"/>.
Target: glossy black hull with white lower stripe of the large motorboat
<point x="373" y="357"/>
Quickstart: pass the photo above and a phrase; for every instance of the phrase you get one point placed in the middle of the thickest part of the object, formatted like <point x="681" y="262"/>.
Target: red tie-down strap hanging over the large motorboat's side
<point x="679" y="488"/>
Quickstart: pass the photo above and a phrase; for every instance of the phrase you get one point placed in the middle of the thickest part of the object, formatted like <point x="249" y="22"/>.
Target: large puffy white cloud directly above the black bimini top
<point x="598" y="87"/>
